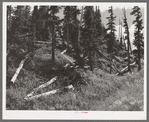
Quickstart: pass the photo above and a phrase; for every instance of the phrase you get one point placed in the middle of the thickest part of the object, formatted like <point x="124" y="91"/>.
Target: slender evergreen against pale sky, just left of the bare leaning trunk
<point x="111" y="35"/>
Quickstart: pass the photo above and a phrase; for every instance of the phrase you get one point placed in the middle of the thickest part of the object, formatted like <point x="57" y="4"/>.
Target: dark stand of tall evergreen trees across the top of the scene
<point x="85" y="35"/>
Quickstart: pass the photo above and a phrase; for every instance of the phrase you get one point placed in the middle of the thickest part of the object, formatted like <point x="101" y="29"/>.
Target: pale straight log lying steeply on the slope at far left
<point x="18" y="70"/>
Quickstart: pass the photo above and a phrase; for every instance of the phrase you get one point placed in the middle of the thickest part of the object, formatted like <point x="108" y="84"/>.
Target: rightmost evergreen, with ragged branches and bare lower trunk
<point x="138" y="35"/>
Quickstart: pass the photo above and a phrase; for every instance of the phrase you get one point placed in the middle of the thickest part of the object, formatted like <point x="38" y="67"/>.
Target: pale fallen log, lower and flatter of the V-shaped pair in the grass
<point x="48" y="93"/>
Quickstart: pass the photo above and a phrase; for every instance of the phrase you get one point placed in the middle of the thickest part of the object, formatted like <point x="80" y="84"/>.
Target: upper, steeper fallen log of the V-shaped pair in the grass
<point x="42" y="86"/>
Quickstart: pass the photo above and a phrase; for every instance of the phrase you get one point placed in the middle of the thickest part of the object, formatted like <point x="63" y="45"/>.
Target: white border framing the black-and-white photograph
<point x="72" y="115"/>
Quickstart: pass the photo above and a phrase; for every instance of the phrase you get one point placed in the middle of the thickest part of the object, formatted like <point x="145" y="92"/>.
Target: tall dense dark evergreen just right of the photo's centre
<point x="88" y="33"/>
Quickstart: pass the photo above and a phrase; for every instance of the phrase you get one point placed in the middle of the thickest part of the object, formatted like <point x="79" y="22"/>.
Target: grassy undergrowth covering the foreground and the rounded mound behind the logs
<point x="95" y="90"/>
